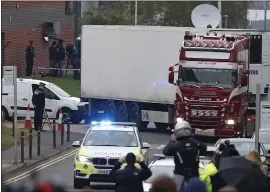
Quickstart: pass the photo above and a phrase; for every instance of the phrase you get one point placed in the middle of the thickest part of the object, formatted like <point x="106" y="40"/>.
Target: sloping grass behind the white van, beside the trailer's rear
<point x="71" y="86"/>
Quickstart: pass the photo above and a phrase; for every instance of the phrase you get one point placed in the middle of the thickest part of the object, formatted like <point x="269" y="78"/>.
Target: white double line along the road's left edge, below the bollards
<point x="40" y="167"/>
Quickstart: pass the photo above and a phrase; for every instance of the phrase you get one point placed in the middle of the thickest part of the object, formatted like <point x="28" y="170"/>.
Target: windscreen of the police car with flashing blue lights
<point x="111" y="138"/>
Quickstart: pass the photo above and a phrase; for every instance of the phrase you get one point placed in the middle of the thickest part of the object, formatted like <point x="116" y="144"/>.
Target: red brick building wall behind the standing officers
<point x="23" y="21"/>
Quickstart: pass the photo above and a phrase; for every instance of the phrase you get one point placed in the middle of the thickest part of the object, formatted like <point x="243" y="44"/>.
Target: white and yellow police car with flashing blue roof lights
<point x="103" y="145"/>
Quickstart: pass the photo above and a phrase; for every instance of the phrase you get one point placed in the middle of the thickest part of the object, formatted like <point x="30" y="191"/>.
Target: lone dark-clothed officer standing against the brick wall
<point x="29" y="57"/>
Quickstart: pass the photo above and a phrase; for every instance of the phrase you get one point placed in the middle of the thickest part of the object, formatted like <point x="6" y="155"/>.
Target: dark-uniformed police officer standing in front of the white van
<point x="38" y="101"/>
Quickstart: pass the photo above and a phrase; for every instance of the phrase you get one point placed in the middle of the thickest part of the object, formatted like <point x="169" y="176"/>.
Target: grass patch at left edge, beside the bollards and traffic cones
<point x="7" y="139"/>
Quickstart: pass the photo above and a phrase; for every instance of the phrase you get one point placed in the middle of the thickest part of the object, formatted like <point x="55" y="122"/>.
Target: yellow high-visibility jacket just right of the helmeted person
<point x="205" y="174"/>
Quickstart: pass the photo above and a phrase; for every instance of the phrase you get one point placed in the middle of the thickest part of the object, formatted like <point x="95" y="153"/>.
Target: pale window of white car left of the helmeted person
<point x="158" y="171"/>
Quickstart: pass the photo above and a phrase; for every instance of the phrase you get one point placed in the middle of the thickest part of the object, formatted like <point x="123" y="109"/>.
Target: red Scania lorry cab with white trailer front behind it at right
<point x="216" y="79"/>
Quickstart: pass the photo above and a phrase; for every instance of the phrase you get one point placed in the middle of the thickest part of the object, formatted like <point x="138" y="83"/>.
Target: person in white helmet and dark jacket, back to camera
<point x="186" y="151"/>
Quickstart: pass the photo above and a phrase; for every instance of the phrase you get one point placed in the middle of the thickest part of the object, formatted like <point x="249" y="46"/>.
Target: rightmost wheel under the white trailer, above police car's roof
<point x="134" y="115"/>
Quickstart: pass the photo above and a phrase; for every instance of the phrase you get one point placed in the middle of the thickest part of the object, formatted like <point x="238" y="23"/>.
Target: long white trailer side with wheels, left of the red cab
<point x="124" y="73"/>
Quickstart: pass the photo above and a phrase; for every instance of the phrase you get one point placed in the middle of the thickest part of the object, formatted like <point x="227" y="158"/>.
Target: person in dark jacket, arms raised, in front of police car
<point x="130" y="178"/>
